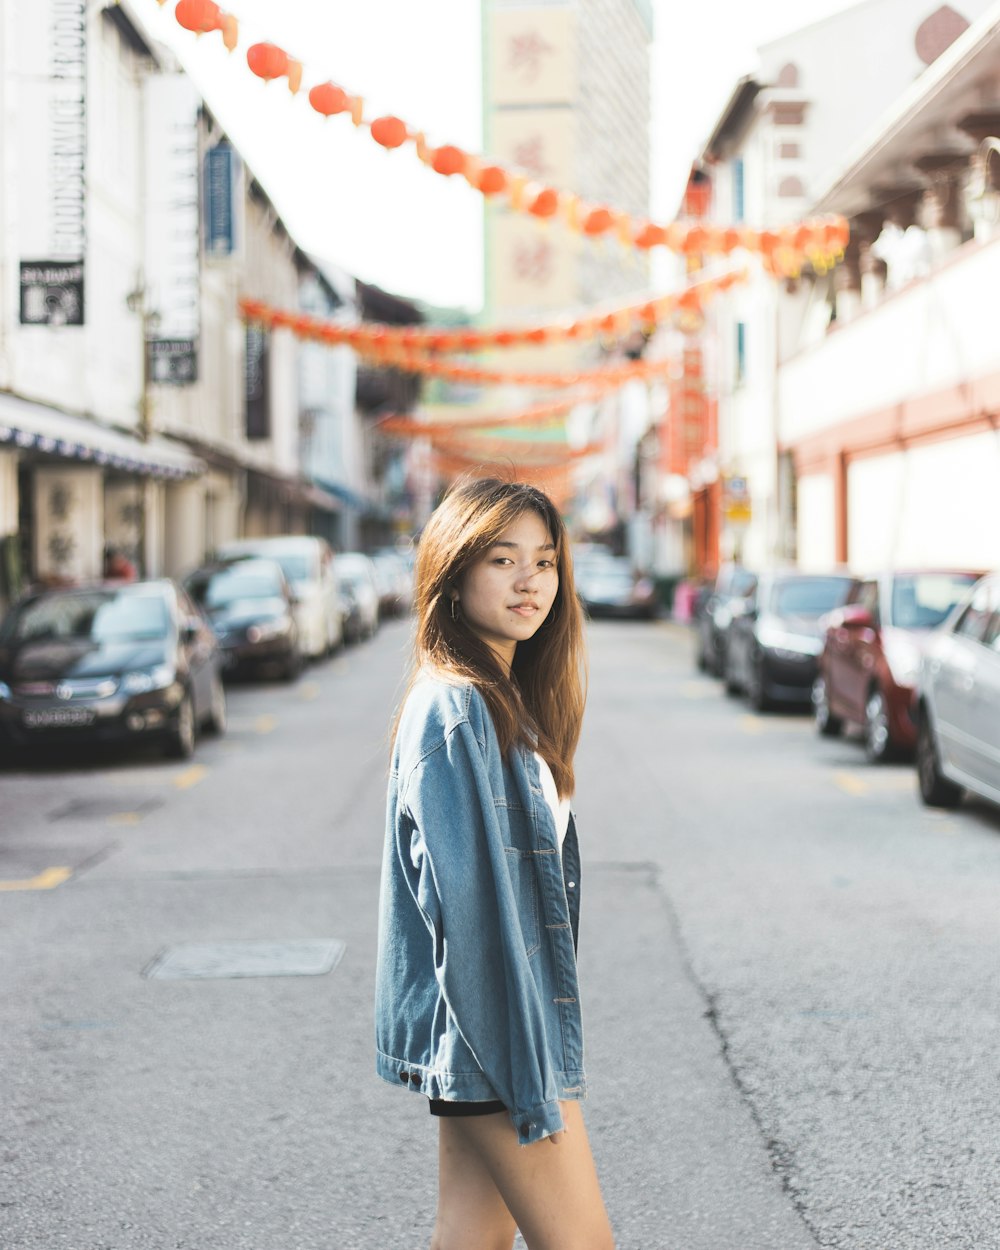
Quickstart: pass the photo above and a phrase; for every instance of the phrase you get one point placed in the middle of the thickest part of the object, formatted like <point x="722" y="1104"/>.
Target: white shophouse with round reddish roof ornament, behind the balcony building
<point x="769" y="161"/>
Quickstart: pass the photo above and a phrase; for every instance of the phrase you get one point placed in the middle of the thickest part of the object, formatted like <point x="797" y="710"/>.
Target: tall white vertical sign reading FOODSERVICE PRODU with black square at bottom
<point x="52" y="161"/>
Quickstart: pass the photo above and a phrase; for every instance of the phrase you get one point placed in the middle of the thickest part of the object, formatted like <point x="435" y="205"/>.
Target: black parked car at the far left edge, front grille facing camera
<point x="111" y="662"/>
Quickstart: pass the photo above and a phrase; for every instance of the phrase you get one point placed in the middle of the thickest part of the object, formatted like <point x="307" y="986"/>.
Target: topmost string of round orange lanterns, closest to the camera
<point x="819" y="242"/>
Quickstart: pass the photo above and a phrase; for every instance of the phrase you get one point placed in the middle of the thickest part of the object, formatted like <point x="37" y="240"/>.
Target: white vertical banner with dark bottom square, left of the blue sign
<point x="173" y="261"/>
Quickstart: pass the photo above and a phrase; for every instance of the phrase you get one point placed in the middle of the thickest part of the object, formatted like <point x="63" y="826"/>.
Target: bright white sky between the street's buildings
<point x="383" y="216"/>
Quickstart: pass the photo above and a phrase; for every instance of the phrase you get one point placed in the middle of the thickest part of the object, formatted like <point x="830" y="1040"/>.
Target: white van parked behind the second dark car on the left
<point x="309" y="567"/>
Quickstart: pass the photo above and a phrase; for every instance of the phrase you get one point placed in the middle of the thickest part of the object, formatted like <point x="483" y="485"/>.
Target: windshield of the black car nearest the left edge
<point x="101" y="617"/>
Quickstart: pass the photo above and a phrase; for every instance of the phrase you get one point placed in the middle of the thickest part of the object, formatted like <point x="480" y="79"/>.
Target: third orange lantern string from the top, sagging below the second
<point x="396" y="356"/>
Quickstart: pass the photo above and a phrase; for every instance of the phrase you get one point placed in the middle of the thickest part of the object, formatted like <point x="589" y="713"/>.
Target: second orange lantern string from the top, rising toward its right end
<point x="621" y="319"/>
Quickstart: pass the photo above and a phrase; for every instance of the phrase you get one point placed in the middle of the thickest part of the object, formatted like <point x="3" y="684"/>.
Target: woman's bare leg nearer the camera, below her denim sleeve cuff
<point x="551" y="1189"/>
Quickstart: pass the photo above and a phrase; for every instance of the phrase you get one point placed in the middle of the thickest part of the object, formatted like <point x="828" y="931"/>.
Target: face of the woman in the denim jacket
<point x="509" y="592"/>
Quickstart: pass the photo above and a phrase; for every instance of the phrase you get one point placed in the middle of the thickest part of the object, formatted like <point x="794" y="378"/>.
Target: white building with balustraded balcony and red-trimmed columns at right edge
<point x="891" y="408"/>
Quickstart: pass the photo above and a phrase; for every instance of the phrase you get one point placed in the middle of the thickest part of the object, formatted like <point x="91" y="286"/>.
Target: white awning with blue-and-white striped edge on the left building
<point x="32" y="427"/>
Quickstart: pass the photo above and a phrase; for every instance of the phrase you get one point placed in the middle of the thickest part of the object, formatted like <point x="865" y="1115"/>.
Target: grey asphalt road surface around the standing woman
<point x="791" y="979"/>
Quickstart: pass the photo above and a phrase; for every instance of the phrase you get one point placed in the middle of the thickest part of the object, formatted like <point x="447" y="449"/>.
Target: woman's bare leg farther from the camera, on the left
<point x="472" y="1216"/>
